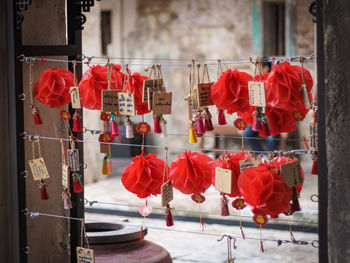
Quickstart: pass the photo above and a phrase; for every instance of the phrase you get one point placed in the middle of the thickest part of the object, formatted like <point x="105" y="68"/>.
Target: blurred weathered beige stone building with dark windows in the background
<point x="191" y="29"/>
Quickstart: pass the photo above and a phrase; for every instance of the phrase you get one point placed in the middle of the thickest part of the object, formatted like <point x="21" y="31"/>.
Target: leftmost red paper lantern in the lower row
<point x="144" y="175"/>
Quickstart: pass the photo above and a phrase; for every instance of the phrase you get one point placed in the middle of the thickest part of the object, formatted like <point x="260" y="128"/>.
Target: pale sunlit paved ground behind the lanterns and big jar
<point x="186" y="247"/>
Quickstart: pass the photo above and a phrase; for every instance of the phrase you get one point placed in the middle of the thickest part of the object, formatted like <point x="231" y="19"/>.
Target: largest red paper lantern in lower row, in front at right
<point x="264" y="190"/>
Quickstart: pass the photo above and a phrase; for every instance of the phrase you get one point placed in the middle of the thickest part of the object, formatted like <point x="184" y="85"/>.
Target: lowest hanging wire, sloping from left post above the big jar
<point x="279" y="242"/>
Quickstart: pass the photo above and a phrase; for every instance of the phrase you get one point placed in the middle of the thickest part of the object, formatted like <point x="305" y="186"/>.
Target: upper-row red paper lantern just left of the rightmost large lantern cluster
<point x="230" y="92"/>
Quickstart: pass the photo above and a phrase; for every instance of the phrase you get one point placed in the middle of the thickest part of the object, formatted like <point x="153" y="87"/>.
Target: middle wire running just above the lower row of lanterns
<point x="36" y="137"/>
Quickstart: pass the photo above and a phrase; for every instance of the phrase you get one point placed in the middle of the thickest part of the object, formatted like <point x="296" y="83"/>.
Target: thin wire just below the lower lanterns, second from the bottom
<point x="91" y="203"/>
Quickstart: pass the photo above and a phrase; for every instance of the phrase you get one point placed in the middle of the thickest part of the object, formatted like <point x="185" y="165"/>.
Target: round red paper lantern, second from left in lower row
<point x="191" y="172"/>
